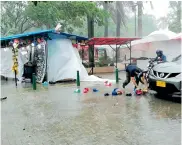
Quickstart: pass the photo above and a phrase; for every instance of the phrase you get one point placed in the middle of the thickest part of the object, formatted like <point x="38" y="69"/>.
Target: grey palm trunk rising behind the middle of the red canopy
<point x="118" y="20"/>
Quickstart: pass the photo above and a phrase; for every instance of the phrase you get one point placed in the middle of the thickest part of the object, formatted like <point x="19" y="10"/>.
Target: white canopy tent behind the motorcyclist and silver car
<point x="146" y="47"/>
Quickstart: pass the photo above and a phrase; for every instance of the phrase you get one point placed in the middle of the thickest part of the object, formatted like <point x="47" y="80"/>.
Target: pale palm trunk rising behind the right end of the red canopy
<point x="140" y="13"/>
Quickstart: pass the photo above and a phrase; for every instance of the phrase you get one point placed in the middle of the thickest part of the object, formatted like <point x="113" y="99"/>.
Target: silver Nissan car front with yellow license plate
<point x="165" y="78"/>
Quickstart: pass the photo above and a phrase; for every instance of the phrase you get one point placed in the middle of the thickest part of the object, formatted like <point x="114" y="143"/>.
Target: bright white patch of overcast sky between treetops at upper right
<point x="160" y="8"/>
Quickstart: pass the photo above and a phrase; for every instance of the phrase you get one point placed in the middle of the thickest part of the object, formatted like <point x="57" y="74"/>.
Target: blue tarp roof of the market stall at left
<point x="42" y="33"/>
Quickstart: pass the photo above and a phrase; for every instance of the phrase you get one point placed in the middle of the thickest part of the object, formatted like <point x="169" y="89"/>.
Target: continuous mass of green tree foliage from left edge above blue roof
<point x="18" y="17"/>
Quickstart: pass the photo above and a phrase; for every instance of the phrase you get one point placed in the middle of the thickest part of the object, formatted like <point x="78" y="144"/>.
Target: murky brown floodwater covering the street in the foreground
<point x="58" y="116"/>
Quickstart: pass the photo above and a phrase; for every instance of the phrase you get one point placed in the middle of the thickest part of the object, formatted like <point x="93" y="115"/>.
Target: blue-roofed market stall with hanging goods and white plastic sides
<point x="32" y="50"/>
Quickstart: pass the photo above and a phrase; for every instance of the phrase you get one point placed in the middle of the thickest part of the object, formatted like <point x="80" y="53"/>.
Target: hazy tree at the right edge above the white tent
<point x="174" y="16"/>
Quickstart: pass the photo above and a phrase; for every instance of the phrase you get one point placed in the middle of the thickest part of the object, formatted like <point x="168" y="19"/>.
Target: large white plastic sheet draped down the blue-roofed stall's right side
<point x="63" y="61"/>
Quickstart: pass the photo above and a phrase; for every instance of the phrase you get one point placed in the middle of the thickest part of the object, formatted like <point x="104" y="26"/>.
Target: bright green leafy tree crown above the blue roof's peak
<point x="69" y="13"/>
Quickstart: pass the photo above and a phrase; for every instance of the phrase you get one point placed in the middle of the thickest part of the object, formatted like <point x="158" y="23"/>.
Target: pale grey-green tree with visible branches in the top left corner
<point x="13" y="18"/>
